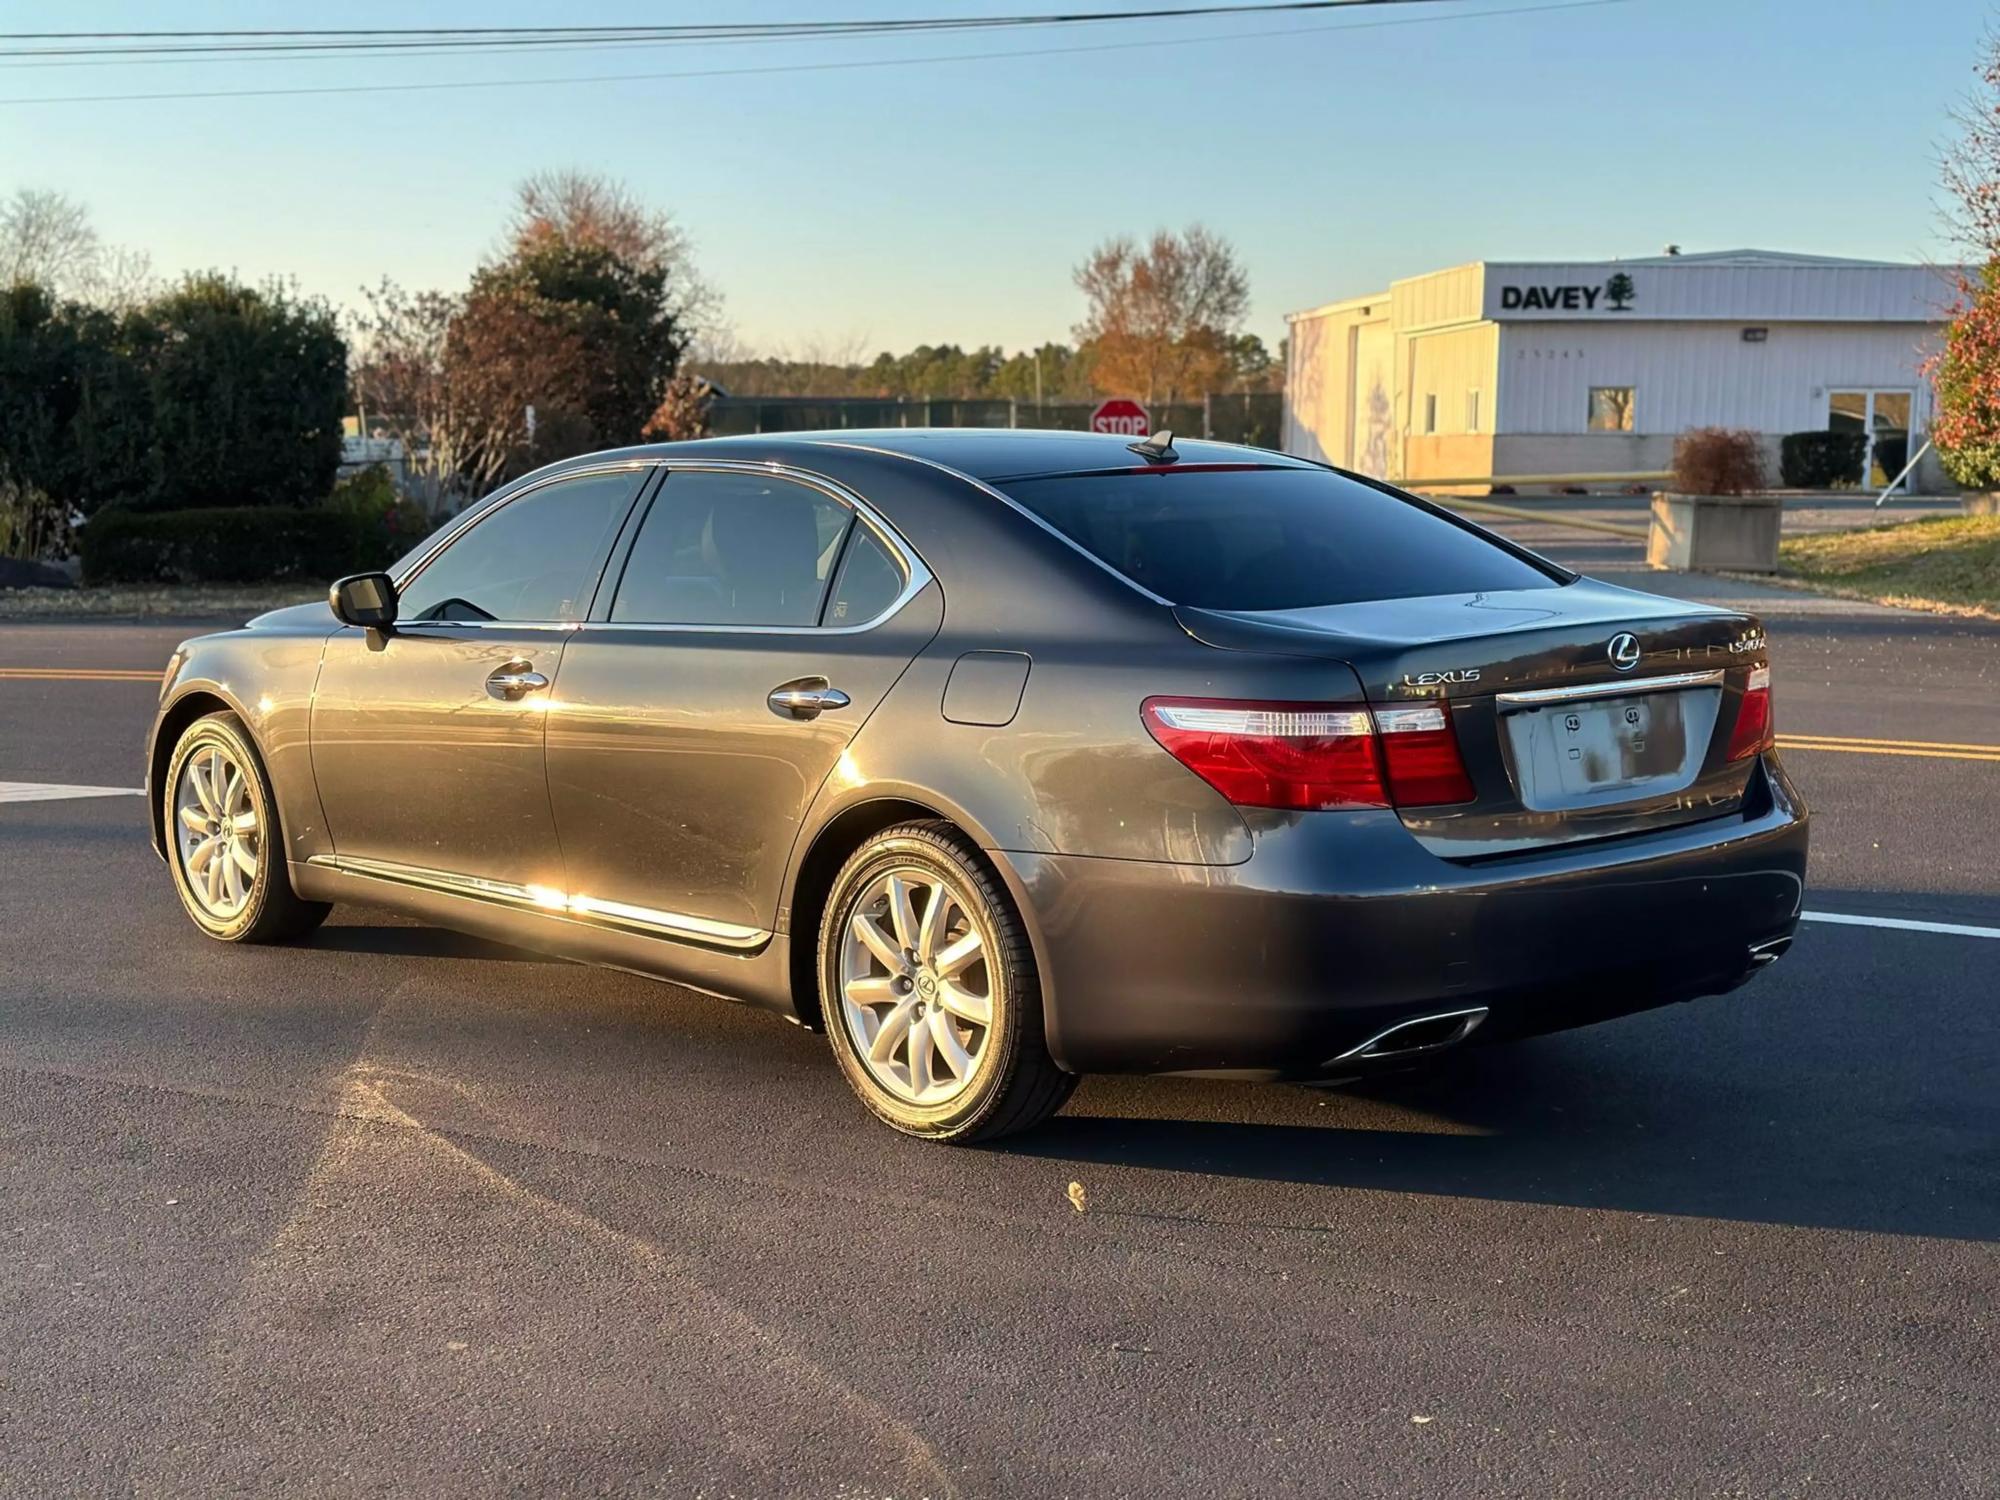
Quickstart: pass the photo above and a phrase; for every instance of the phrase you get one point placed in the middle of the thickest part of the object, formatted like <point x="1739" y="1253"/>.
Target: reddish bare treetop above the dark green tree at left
<point x="571" y="207"/>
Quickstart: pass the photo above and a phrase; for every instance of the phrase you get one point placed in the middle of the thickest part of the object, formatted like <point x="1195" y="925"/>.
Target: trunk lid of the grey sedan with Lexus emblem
<point x="1581" y="713"/>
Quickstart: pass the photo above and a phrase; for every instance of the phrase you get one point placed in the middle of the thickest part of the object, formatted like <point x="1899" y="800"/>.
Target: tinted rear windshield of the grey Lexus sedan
<point x="1271" y="539"/>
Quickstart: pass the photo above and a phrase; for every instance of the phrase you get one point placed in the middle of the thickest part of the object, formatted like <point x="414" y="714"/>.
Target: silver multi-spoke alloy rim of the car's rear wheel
<point x="915" y="987"/>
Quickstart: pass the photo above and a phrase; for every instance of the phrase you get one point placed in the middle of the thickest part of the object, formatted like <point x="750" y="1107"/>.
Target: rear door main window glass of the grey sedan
<point x="733" y="549"/>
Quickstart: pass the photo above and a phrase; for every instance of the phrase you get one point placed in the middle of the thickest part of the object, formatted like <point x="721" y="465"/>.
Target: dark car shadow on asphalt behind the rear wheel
<point x="1559" y="1123"/>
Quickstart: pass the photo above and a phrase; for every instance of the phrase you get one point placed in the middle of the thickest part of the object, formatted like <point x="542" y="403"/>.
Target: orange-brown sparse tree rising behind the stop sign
<point x="1163" y="319"/>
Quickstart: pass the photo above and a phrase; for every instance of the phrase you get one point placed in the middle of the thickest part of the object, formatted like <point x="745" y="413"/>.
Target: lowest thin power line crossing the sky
<point x="821" y="67"/>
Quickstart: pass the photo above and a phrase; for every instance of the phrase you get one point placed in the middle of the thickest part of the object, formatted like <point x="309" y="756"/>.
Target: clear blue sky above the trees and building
<point x="947" y="203"/>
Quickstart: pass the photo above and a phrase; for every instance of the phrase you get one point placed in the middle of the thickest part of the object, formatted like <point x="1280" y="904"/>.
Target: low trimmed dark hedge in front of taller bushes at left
<point x="235" y="545"/>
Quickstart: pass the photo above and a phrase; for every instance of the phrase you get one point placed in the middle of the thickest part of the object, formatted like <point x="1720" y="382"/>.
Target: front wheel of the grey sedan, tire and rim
<point x="223" y="841"/>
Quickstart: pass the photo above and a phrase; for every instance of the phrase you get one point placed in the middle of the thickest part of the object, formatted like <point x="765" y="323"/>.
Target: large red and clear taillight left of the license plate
<point x="1313" y="757"/>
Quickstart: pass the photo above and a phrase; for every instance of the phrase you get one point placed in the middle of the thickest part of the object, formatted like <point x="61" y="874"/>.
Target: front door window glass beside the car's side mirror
<point x="535" y="559"/>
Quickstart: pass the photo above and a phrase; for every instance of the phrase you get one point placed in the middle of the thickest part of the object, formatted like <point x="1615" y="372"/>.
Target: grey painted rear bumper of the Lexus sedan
<point x="1341" y="927"/>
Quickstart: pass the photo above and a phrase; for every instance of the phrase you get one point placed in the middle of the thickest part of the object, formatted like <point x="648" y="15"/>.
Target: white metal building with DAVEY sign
<point x="1521" y="369"/>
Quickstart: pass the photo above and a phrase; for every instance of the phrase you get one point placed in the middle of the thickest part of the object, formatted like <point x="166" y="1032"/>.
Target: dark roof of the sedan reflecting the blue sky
<point x="983" y="453"/>
